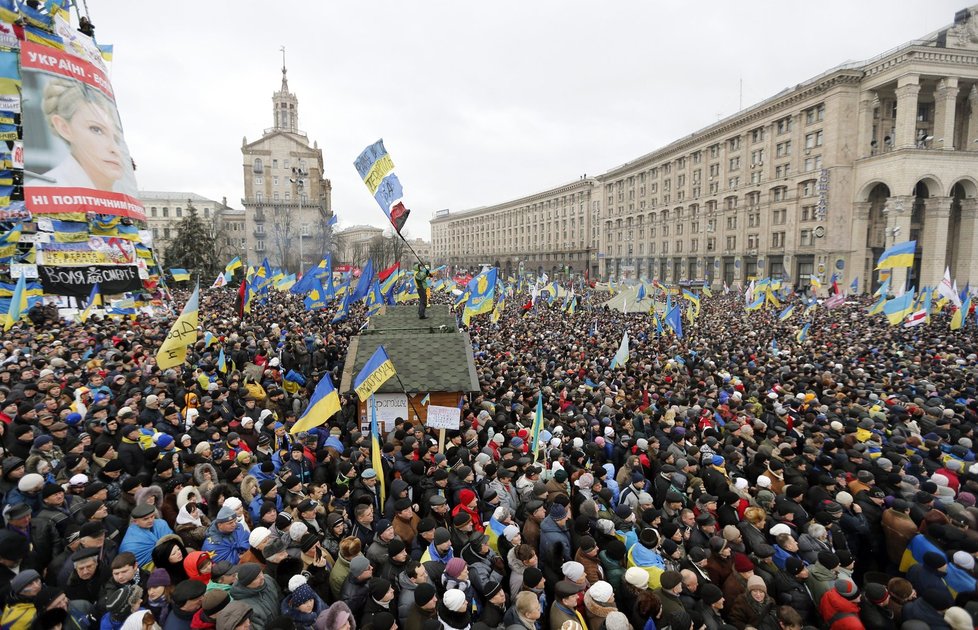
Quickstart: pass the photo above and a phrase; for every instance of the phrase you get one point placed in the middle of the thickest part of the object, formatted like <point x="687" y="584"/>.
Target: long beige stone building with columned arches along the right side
<point x="817" y="180"/>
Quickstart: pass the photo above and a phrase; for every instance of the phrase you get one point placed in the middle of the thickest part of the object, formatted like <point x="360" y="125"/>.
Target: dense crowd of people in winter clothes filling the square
<point x="732" y="478"/>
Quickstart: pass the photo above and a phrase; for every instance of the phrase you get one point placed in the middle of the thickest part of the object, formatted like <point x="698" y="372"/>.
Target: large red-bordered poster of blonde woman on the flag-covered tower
<point x="75" y="157"/>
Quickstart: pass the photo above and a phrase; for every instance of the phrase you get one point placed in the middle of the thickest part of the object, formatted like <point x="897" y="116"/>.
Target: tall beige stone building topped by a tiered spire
<point x="287" y="195"/>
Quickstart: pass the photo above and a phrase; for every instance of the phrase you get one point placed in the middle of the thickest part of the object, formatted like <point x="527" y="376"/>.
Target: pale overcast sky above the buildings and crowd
<point x="477" y="102"/>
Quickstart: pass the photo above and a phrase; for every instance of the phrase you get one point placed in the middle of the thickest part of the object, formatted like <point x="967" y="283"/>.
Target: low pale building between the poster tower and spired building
<point x="165" y="210"/>
